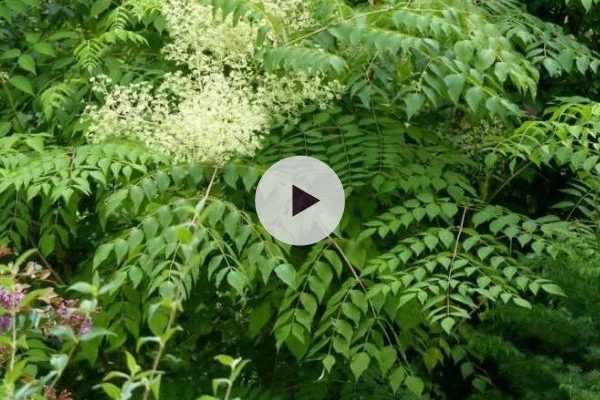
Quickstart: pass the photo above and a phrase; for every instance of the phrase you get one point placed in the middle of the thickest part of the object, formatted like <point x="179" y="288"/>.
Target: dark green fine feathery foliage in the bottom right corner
<point x="564" y="362"/>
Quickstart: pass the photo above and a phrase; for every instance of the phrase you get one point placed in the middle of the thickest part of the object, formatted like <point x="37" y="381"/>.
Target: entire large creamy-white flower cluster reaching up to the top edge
<point x="222" y="105"/>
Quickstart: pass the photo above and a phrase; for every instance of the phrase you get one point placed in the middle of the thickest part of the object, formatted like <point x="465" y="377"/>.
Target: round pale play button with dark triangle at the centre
<point x="300" y="200"/>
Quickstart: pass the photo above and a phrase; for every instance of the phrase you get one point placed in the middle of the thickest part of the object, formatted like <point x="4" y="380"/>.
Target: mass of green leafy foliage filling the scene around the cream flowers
<point x="461" y="268"/>
